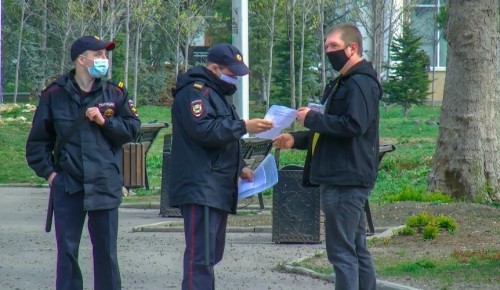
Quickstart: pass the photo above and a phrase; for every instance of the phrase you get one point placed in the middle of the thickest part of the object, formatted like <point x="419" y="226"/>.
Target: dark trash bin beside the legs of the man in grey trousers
<point x="296" y="209"/>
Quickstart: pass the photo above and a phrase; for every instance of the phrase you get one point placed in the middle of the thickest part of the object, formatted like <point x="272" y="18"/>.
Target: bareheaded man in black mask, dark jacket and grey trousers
<point x="342" y="155"/>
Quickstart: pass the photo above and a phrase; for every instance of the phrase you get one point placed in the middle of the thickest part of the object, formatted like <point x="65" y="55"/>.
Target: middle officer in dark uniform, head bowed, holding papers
<point x="206" y="159"/>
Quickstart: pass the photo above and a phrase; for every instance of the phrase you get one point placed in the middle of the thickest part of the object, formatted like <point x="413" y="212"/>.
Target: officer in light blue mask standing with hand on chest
<point x="84" y="178"/>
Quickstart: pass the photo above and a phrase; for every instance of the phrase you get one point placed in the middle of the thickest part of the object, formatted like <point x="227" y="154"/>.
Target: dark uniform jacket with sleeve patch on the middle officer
<point x="206" y="134"/>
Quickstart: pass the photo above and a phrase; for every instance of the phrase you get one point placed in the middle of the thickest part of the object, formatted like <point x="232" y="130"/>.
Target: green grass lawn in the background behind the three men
<point x="407" y="167"/>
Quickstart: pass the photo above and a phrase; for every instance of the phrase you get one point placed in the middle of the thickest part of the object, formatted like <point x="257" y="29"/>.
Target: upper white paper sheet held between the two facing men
<point x="282" y="117"/>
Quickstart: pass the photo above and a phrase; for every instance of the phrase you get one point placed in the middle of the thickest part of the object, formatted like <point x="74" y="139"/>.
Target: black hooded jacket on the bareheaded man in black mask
<point x="346" y="151"/>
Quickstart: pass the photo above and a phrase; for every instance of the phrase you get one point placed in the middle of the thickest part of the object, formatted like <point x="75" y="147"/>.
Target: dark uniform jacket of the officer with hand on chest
<point x="91" y="159"/>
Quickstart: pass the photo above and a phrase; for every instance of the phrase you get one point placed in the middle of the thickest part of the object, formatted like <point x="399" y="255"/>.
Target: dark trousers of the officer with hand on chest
<point x="69" y="218"/>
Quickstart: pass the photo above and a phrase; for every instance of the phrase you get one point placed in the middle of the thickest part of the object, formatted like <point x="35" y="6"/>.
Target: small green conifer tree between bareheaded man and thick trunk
<point x="408" y="83"/>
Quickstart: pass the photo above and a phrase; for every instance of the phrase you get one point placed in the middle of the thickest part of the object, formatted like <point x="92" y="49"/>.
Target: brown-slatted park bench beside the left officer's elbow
<point x="135" y="153"/>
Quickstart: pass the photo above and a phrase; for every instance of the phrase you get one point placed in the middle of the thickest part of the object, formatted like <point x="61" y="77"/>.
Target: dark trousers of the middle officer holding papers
<point x="197" y="275"/>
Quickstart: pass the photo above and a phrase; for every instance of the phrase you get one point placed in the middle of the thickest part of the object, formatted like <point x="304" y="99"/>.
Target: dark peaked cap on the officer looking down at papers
<point x="228" y="56"/>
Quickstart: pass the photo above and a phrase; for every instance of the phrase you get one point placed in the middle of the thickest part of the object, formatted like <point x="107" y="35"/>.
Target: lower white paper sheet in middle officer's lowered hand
<point x="264" y="176"/>
